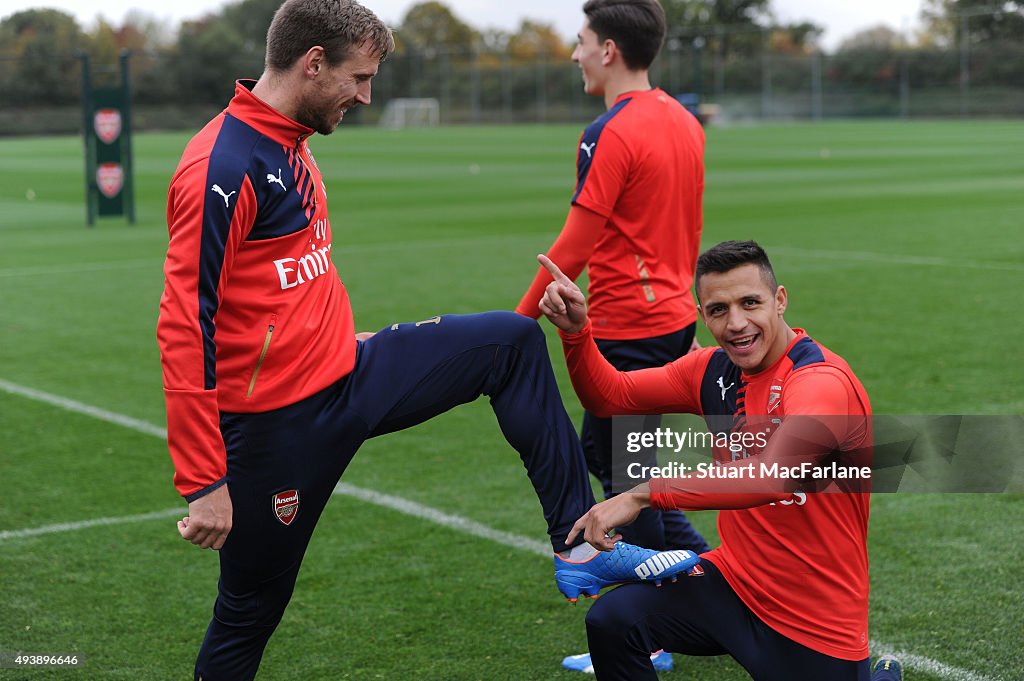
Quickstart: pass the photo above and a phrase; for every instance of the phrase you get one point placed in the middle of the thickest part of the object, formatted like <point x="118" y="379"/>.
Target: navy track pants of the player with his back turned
<point x="653" y="529"/>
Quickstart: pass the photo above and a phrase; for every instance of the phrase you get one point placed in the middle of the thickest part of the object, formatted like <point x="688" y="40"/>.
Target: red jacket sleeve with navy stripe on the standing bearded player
<point x="185" y="330"/>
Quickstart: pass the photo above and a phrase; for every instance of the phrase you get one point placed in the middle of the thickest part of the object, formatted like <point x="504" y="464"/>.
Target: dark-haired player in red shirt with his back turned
<point x="634" y="223"/>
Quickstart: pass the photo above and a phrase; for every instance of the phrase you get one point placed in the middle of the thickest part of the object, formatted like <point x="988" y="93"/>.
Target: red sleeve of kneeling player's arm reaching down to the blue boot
<point x="824" y="413"/>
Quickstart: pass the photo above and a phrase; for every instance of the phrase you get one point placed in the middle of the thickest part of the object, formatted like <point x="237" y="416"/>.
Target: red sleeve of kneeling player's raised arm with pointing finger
<point x="606" y="392"/>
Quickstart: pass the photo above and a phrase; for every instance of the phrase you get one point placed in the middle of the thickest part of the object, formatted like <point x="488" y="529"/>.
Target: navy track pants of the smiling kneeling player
<point x="699" y="616"/>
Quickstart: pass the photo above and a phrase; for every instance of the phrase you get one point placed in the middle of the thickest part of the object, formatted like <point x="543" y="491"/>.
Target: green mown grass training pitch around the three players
<point x="902" y="244"/>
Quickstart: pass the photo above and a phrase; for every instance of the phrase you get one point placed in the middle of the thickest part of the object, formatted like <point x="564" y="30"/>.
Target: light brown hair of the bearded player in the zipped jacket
<point x="340" y="27"/>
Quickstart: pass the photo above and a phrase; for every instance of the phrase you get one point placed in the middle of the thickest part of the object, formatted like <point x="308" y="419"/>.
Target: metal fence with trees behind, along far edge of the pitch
<point x="987" y="80"/>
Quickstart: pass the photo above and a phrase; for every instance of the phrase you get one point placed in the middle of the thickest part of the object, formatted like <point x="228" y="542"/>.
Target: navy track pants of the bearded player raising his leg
<point x="403" y="376"/>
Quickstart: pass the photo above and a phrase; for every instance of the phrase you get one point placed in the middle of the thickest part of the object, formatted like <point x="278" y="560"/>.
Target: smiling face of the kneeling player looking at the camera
<point x="745" y="316"/>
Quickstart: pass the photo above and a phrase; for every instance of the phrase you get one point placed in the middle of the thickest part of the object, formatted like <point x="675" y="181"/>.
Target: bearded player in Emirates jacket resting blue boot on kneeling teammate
<point x="269" y="392"/>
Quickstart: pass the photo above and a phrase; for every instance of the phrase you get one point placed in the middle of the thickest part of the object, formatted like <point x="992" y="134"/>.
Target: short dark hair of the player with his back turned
<point x="637" y="27"/>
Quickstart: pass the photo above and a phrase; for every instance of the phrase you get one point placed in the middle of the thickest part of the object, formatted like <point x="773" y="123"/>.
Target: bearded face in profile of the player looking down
<point x="338" y="89"/>
